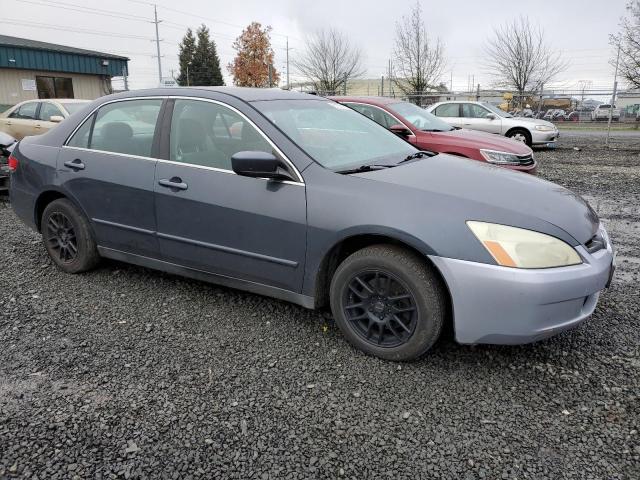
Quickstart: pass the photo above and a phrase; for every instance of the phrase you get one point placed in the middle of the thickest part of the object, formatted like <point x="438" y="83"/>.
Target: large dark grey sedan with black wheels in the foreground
<point x="315" y="204"/>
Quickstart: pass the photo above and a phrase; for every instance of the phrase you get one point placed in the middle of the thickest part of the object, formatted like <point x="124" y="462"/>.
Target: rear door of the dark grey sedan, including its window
<point x="108" y="167"/>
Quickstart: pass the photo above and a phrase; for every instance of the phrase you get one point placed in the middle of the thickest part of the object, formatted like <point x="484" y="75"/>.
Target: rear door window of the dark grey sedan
<point x="126" y="127"/>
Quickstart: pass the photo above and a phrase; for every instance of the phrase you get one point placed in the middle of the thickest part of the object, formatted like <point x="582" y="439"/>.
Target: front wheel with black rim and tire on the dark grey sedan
<point x="375" y="327"/>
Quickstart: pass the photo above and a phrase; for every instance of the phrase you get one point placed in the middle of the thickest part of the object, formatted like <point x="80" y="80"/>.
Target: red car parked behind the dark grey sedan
<point x="428" y="132"/>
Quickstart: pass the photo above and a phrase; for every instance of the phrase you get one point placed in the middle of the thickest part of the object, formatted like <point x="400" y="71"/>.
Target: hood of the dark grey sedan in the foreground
<point x="479" y="191"/>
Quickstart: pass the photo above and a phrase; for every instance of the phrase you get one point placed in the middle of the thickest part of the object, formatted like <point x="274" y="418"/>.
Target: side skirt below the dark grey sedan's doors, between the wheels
<point x="253" y="287"/>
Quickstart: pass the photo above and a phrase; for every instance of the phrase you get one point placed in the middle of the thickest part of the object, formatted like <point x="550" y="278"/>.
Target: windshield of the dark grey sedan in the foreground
<point x="335" y="136"/>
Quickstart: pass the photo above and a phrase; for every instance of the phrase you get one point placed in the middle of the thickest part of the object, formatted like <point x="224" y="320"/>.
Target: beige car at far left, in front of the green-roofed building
<point x="34" y="117"/>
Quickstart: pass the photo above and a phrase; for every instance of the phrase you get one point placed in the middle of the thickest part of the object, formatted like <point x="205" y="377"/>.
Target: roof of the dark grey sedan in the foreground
<point x="246" y="94"/>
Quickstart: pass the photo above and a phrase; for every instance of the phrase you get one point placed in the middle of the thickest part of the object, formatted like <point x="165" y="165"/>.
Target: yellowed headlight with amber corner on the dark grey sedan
<point x="520" y="248"/>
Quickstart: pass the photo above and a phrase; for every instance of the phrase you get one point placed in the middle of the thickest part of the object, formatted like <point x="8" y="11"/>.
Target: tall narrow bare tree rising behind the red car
<point x="418" y="60"/>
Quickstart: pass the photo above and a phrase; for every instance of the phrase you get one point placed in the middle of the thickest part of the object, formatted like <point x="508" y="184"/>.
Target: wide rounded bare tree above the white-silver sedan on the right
<point x="521" y="59"/>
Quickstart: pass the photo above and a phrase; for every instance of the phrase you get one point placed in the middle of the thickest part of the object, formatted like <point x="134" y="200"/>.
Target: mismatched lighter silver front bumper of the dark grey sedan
<point x="509" y="306"/>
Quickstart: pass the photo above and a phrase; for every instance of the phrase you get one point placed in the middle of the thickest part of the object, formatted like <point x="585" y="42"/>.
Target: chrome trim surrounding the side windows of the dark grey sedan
<point x="295" y="170"/>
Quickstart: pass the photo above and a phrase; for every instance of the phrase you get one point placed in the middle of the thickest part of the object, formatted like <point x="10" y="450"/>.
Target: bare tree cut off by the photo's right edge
<point x="629" y="42"/>
